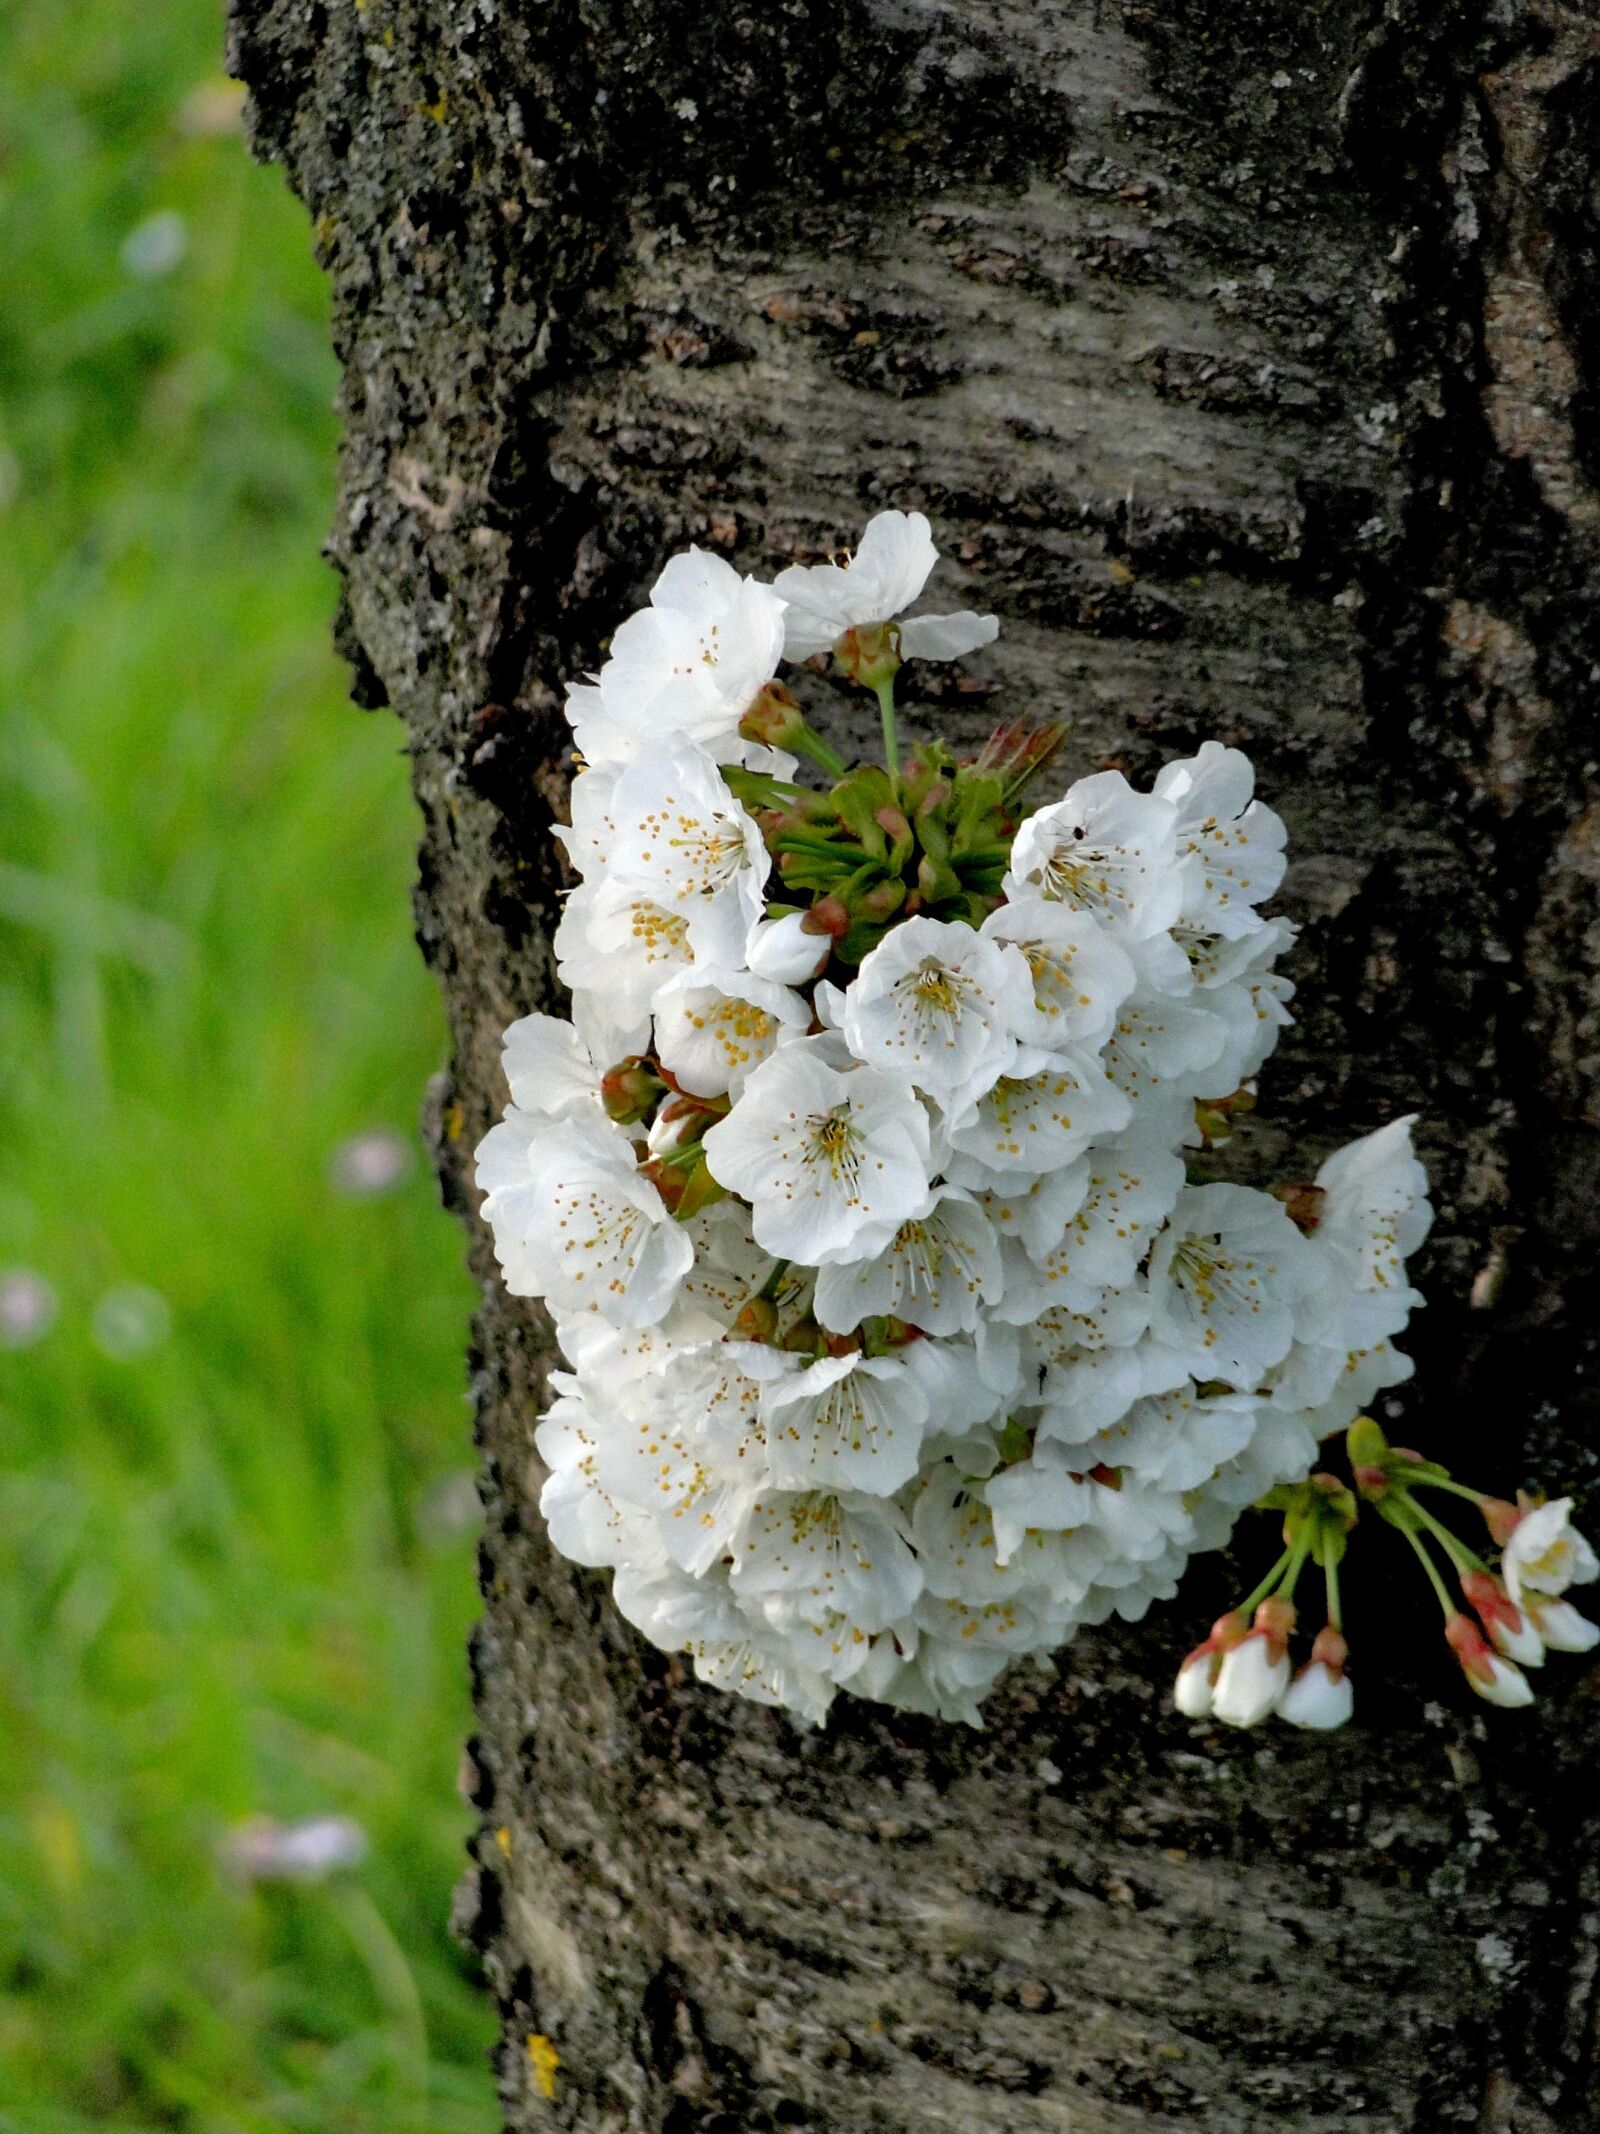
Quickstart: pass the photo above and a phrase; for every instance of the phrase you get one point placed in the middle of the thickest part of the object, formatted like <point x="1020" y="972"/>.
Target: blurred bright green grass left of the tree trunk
<point x="236" y="1565"/>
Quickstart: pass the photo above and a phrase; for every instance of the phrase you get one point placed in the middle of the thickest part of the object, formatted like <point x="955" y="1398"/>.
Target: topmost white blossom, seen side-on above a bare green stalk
<point x="889" y="571"/>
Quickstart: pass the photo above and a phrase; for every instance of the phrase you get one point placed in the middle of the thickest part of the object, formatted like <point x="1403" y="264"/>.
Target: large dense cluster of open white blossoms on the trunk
<point x="867" y="1183"/>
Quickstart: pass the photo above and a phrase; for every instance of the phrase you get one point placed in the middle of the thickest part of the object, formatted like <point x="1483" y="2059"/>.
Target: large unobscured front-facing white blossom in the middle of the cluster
<point x="831" y="1162"/>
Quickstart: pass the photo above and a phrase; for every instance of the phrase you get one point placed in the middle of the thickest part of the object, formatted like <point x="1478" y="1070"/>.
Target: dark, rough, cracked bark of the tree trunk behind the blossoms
<point x="1247" y="362"/>
